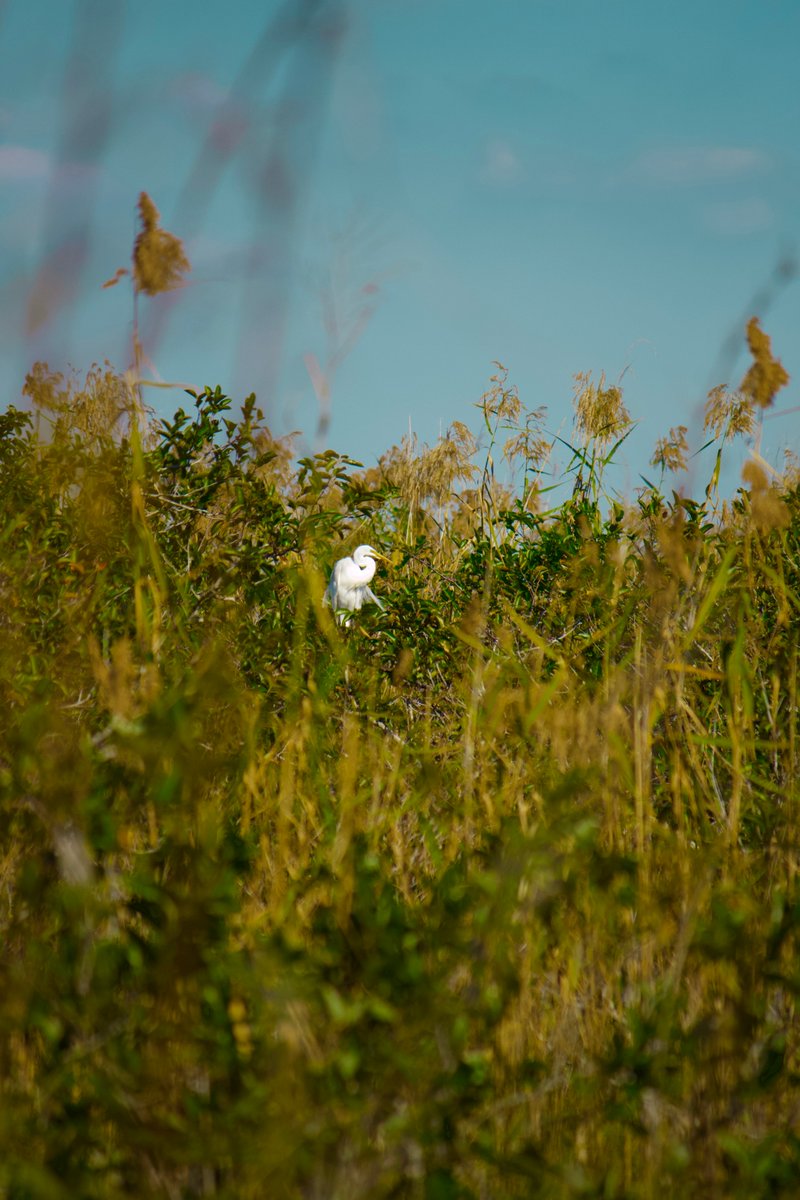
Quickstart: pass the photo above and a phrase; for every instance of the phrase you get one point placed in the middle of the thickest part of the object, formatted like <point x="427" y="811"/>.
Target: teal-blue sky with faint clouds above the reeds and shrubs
<point x="414" y="190"/>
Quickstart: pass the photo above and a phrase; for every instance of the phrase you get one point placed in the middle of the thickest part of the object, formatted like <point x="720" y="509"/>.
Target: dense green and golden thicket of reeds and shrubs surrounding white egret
<point x="491" y="895"/>
